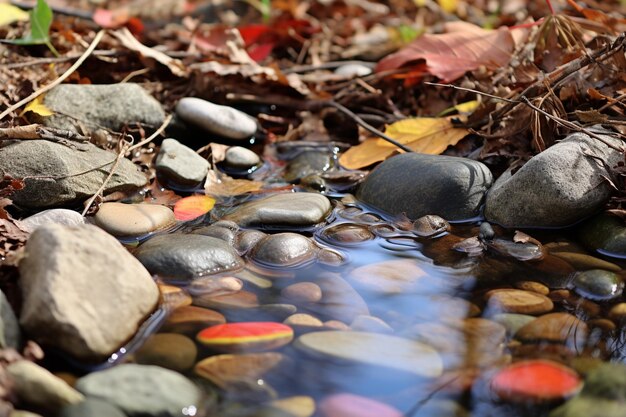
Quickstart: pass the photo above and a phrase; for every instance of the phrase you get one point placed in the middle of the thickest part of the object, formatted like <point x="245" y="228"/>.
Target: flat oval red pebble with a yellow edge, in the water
<point x="246" y="337"/>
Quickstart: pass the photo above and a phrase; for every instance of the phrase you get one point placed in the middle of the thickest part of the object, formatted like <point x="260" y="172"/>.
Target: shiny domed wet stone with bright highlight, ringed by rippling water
<point x="284" y="249"/>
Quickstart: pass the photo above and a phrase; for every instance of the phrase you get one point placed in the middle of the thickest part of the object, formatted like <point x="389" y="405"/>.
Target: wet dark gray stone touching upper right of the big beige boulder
<point x="181" y="256"/>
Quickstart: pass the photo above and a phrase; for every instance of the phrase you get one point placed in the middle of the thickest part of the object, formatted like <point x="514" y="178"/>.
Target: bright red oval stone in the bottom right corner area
<point x="535" y="381"/>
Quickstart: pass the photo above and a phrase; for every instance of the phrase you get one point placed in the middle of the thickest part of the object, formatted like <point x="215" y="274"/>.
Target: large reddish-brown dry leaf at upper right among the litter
<point x="450" y="55"/>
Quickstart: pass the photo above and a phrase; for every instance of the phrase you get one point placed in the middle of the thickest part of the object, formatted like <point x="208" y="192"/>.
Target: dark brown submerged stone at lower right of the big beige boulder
<point x="168" y="350"/>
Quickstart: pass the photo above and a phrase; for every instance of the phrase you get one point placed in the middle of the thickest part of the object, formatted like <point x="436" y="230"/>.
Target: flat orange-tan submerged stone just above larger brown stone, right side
<point x="518" y="301"/>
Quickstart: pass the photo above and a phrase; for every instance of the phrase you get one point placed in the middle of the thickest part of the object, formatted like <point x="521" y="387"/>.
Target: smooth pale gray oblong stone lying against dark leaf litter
<point x="222" y="120"/>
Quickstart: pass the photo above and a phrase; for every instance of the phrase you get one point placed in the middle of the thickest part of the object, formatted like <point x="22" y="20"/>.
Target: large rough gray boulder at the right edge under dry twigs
<point x="560" y="186"/>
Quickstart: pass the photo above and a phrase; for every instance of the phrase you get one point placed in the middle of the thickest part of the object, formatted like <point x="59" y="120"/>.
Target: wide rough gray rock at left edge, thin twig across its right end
<point x="43" y="158"/>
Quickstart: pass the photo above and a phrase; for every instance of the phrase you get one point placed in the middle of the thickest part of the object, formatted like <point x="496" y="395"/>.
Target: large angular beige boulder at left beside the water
<point x="83" y="292"/>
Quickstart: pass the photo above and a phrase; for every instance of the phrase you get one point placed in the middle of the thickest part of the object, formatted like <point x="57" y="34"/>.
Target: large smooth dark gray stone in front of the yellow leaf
<point x="417" y="185"/>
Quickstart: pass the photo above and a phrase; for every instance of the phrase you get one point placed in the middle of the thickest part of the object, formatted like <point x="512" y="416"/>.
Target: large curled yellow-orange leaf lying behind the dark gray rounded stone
<point x="427" y="135"/>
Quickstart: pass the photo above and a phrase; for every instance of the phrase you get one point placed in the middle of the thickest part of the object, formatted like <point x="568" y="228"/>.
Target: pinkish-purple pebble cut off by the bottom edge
<point x="350" y="405"/>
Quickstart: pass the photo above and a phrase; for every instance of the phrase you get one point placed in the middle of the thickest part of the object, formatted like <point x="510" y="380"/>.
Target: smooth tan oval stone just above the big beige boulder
<point x="123" y="220"/>
